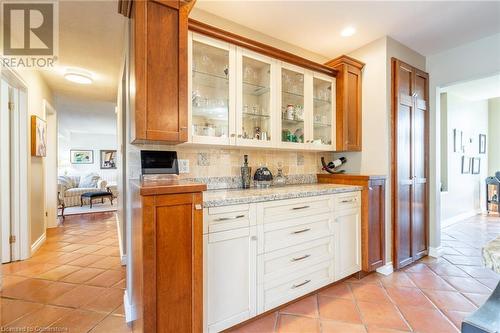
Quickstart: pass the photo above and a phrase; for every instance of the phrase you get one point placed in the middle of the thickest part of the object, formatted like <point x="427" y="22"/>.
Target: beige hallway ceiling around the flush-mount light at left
<point x="91" y="38"/>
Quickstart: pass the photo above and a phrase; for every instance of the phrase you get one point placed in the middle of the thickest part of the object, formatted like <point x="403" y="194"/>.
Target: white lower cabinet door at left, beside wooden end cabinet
<point x="230" y="278"/>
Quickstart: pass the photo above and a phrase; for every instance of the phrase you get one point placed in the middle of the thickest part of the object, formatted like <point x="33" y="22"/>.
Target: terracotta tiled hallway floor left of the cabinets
<point x="74" y="283"/>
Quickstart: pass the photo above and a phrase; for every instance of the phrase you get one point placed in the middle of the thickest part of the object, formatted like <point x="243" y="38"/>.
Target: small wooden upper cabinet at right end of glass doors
<point x="348" y="99"/>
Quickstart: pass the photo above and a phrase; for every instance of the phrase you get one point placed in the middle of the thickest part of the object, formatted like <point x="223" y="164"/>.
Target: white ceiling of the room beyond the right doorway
<point x="477" y="90"/>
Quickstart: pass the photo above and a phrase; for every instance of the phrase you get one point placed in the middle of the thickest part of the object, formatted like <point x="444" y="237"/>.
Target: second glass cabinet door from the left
<point x="255" y="104"/>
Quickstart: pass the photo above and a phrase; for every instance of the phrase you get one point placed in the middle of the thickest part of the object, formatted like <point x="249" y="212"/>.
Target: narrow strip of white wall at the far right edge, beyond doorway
<point x="493" y="139"/>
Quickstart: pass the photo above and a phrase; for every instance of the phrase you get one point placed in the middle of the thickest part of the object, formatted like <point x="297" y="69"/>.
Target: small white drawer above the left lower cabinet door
<point x="224" y="218"/>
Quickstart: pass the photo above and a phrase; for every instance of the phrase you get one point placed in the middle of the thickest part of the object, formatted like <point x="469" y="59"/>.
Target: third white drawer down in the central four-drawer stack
<point x="283" y="262"/>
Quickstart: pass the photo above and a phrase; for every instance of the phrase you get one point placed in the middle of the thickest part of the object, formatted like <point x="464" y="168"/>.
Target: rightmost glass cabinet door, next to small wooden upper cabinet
<point x="323" y="113"/>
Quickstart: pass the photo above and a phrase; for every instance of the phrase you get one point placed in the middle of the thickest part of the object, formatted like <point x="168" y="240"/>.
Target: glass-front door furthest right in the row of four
<point x="322" y="112"/>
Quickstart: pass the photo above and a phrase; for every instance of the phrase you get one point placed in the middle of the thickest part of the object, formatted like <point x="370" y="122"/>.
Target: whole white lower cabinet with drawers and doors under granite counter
<point x="260" y="256"/>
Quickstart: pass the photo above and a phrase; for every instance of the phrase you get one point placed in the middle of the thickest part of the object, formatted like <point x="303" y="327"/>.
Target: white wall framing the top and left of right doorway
<point x="474" y="60"/>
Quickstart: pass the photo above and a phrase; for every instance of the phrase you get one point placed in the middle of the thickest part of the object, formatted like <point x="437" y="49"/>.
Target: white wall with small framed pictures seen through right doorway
<point x="465" y="195"/>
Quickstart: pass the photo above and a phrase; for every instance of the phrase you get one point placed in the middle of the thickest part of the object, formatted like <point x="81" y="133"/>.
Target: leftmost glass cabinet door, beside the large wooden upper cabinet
<point x="210" y="93"/>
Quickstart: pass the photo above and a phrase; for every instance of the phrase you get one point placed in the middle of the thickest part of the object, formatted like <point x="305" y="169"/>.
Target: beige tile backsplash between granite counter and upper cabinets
<point x="207" y="162"/>
